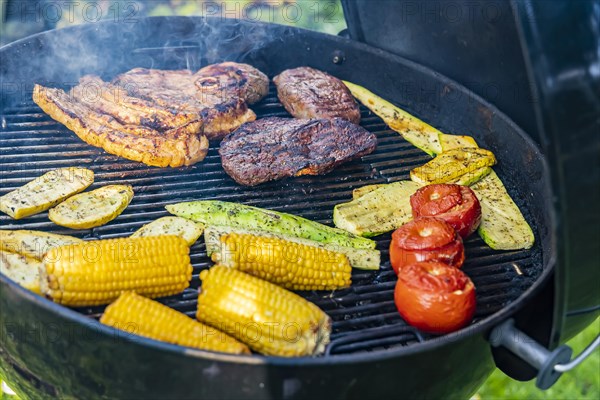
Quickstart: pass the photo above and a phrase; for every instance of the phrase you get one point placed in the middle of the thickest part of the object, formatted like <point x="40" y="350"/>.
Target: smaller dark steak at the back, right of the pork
<point x="309" y="93"/>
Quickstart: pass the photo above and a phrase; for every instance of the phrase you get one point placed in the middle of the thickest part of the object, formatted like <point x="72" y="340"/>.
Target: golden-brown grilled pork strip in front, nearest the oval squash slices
<point x="174" y="148"/>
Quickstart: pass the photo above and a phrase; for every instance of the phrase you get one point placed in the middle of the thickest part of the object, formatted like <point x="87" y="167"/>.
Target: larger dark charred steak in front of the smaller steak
<point x="274" y="148"/>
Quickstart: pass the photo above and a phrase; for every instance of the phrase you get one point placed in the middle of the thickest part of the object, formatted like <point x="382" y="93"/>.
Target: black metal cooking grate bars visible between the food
<point x="365" y="318"/>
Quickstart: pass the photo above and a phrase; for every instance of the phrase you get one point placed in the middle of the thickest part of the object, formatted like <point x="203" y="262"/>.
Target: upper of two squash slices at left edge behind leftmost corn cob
<point x="33" y="244"/>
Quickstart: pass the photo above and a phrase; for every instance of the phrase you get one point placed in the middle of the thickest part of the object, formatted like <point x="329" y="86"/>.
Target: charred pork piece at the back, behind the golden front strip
<point x="217" y="93"/>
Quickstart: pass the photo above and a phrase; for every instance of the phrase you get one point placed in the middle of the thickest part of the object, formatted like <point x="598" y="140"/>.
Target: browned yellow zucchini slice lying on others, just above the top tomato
<point x="452" y="165"/>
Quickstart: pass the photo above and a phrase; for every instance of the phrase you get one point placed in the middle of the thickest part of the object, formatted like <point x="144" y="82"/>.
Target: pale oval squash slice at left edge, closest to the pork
<point x="45" y="191"/>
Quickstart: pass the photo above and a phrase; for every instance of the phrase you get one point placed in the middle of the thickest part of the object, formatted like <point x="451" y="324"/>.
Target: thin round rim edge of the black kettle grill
<point x="482" y="326"/>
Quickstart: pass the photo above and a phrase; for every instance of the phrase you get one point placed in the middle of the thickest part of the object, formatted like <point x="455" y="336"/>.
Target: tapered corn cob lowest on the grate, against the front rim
<point x="144" y="317"/>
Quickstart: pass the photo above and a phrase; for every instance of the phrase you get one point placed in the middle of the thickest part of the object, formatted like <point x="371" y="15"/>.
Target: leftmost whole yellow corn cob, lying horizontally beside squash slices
<point x="97" y="272"/>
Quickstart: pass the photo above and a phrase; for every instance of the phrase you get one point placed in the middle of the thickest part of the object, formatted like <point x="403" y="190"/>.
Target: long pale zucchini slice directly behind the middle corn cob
<point x="368" y="259"/>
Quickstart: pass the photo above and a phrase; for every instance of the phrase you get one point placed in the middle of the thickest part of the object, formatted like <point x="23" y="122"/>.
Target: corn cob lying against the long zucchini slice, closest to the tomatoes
<point x="290" y="265"/>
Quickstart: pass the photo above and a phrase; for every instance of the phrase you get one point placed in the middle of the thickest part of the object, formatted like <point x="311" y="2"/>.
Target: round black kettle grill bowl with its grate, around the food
<point x="371" y="345"/>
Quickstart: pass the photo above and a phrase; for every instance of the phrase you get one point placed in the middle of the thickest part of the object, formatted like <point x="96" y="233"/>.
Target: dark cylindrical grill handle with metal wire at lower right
<point x="550" y="364"/>
